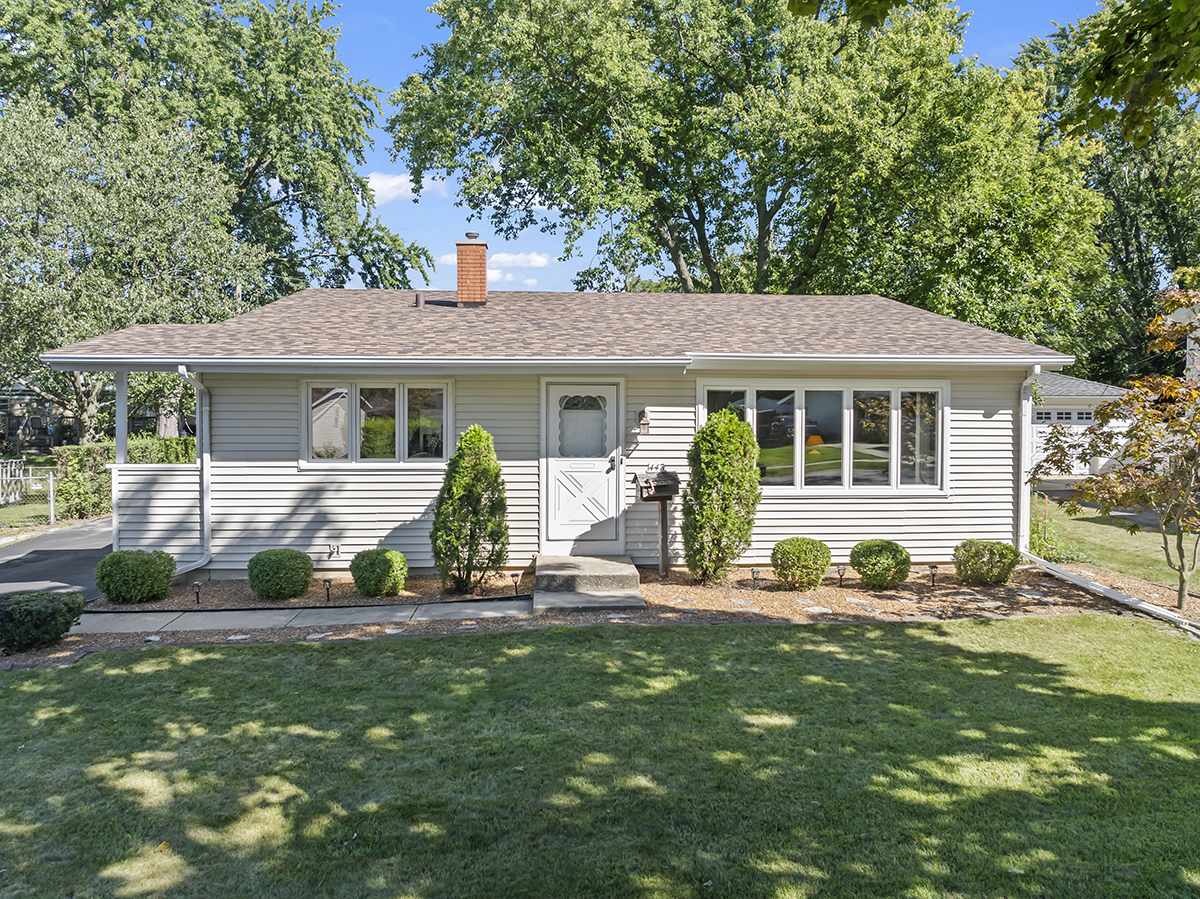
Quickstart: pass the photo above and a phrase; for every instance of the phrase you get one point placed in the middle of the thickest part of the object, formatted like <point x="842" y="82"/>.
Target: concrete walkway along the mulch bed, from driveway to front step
<point x="332" y="616"/>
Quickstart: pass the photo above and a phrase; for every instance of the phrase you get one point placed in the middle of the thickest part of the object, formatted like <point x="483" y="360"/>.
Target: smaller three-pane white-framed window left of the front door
<point x="374" y="423"/>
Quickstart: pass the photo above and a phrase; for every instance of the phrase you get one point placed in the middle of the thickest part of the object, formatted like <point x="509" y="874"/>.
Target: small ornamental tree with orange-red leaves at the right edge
<point x="1153" y="435"/>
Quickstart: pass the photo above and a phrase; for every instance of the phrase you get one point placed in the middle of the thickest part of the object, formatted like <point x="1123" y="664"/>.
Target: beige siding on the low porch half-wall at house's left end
<point x="159" y="508"/>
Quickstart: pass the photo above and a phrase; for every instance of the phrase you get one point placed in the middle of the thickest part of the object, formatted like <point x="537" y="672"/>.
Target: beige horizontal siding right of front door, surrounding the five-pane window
<point x="981" y="501"/>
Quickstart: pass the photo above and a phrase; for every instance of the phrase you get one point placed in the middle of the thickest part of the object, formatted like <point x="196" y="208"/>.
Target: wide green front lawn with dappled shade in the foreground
<point x="1051" y="757"/>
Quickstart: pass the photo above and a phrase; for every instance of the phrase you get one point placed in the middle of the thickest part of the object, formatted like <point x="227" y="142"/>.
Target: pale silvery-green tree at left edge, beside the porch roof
<point x="104" y="227"/>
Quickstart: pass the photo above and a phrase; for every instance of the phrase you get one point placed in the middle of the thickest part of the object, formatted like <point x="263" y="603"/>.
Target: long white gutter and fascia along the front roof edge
<point x="452" y="365"/>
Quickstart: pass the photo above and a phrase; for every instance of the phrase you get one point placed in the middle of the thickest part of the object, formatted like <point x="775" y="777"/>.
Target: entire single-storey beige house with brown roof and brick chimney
<point x="327" y="419"/>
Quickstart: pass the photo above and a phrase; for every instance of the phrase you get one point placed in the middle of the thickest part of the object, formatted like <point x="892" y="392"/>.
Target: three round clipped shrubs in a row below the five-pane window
<point x="801" y="564"/>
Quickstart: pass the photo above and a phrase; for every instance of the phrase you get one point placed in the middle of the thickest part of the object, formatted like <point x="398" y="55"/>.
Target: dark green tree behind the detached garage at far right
<point x="1151" y="225"/>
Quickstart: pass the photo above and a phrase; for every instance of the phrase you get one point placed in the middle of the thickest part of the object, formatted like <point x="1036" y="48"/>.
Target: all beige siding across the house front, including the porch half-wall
<point x="265" y="498"/>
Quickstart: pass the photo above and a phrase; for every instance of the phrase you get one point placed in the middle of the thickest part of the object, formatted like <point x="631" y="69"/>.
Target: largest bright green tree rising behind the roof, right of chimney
<point x="737" y="148"/>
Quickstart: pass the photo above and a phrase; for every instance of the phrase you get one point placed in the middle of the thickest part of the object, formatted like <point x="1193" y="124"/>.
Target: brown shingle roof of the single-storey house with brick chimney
<point x="386" y="325"/>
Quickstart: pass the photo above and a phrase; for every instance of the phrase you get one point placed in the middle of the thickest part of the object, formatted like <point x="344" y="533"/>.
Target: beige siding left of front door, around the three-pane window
<point x="263" y="499"/>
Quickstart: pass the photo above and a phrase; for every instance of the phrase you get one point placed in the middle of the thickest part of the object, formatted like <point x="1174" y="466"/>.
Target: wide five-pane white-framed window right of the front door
<point x="856" y="439"/>
